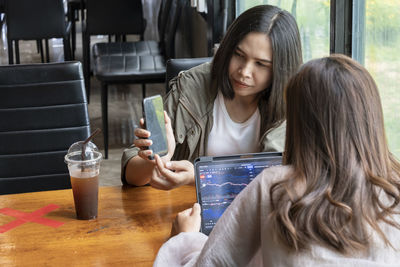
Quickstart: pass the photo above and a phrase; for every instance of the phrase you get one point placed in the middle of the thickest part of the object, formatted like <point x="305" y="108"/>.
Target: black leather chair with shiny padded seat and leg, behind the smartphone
<point x="114" y="69"/>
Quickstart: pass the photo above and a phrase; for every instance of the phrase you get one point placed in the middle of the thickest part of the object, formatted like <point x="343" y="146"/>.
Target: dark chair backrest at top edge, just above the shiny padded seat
<point x="114" y="17"/>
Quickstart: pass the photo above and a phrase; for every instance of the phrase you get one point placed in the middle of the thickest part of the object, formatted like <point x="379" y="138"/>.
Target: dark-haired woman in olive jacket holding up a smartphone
<point x="229" y="106"/>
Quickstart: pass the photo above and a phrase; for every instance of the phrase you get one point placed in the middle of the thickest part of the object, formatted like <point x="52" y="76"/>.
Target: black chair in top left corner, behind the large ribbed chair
<point x="36" y="20"/>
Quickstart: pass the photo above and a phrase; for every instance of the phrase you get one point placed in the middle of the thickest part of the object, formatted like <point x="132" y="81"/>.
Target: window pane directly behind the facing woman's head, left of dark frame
<point x="314" y="29"/>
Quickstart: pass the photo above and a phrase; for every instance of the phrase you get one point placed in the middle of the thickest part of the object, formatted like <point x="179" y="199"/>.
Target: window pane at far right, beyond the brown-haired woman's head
<point x="376" y="43"/>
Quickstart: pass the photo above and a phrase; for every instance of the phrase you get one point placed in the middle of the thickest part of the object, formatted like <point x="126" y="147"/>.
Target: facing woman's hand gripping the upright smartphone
<point x="144" y="141"/>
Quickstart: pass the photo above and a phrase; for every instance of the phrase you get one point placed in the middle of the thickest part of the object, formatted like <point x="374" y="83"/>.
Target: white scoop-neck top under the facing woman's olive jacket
<point x="228" y="137"/>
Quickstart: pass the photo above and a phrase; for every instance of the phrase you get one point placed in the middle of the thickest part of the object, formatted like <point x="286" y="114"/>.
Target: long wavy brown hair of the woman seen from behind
<point x="342" y="168"/>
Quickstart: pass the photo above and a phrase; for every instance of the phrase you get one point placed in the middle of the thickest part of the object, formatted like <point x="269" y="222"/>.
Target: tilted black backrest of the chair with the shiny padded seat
<point x="168" y="39"/>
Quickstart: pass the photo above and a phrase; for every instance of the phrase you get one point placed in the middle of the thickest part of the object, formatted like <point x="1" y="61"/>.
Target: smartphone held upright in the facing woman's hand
<point x="153" y="113"/>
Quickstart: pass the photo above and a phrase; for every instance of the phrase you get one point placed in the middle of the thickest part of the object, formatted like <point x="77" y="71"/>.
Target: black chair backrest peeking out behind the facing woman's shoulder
<point x="176" y="65"/>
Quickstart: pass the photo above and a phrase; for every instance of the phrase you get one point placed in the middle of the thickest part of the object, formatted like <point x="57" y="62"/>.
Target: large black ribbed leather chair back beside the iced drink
<point x="43" y="110"/>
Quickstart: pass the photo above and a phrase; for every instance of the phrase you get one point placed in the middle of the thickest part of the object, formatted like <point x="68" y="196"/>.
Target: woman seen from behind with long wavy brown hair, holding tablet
<point x="335" y="201"/>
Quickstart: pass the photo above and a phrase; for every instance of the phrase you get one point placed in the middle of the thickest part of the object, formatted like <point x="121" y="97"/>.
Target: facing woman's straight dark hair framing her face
<point x="281" y="27"/>
